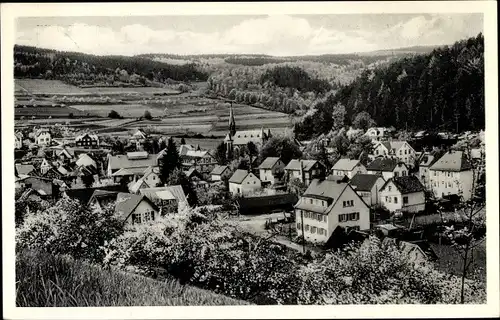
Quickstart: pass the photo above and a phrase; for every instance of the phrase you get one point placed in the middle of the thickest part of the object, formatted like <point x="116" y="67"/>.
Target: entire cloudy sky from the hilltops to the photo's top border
<point x="279" y="35"/>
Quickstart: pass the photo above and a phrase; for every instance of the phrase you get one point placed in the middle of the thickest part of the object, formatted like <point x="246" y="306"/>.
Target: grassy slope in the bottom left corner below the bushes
<point x="44" y="280"/>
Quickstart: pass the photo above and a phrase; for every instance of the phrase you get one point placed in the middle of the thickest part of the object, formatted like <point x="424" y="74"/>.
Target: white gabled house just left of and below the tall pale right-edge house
<point x="404" y="194"/>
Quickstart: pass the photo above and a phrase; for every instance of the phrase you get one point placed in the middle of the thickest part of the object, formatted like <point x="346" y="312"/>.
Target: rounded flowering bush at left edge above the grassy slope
<point x="67" y="227"/>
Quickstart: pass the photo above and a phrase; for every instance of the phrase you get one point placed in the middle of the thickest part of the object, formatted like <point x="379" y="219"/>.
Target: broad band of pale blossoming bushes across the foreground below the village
<point x="201" y="248"/>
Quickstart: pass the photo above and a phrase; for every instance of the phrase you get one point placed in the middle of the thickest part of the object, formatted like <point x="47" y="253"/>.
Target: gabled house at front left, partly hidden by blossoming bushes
<point x="135" y="209"/>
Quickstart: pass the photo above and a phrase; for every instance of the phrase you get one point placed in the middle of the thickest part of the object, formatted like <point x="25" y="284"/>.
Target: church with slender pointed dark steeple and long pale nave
<point x="234" y="140"/>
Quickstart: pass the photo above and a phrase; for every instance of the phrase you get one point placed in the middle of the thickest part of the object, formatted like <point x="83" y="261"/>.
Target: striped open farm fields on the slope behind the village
<point x="175" y="113"/>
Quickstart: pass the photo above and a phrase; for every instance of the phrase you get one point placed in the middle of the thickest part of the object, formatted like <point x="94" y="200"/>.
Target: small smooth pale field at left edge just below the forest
<point x="46" y="87"/>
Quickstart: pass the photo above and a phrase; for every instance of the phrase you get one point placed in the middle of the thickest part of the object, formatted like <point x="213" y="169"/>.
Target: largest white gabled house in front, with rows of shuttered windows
<point x="327" y="204"/>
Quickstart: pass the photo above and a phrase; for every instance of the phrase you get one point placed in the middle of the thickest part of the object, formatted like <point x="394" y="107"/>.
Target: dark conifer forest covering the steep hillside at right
<point x="442" y="90"/>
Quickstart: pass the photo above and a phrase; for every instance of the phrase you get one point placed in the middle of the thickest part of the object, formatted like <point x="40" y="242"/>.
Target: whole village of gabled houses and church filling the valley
<point x="308" y="204"/>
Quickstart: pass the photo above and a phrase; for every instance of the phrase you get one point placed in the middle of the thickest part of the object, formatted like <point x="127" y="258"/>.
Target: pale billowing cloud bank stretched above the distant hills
<point x="276" y="35"/>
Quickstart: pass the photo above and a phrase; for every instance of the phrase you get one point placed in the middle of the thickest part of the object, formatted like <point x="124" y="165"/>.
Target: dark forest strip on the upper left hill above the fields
<point x="79" y="68"/>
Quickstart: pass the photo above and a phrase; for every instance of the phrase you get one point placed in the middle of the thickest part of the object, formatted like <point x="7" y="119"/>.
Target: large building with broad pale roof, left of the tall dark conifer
<point x="132" y="161"/>
